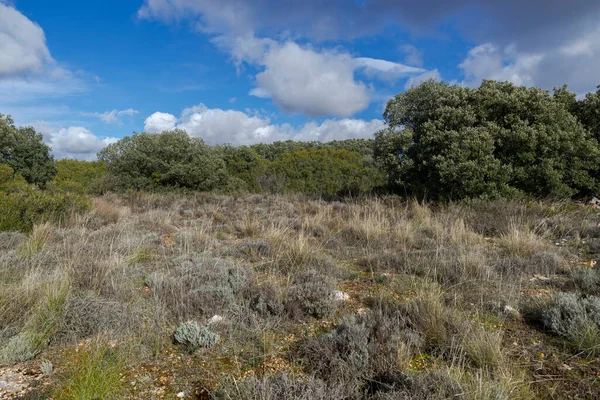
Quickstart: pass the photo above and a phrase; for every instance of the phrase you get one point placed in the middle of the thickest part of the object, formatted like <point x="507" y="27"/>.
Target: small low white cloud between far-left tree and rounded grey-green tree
<point x="73" y="142"/>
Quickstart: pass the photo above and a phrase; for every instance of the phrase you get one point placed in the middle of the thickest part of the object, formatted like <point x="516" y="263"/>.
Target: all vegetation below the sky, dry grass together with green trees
<point x="170" y="268"/>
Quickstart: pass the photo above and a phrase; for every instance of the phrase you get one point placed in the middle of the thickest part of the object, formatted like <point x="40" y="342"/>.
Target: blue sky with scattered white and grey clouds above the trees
<point x="86" y="73"/>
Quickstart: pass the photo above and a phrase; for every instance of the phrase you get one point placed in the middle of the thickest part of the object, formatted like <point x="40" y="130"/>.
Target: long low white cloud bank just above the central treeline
<point x="217" y="126"/>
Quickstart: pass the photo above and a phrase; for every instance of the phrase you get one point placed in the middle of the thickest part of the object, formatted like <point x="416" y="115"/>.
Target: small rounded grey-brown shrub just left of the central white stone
<point x="312" y="294"/>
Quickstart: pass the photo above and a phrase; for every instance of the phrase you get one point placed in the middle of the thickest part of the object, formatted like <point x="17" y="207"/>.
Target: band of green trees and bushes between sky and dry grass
<point x="442" y="142"/>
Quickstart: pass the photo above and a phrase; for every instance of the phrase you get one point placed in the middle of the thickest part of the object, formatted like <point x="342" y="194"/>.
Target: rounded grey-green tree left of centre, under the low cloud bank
<point x="169" y="159"/>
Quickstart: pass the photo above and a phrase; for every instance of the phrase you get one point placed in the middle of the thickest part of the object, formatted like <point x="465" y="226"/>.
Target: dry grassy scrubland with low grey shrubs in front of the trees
<point x="286" y="297"/>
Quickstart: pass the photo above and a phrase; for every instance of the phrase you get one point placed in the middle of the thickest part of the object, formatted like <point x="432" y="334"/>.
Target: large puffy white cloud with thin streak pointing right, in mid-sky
<point x="314" y="82"/>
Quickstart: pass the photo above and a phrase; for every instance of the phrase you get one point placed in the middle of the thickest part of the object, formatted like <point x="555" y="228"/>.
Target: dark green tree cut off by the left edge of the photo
<point x="24" y="150"/>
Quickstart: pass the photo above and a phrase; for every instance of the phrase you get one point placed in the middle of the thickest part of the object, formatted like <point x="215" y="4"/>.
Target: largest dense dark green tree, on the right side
<point x="448" y="141"/>
